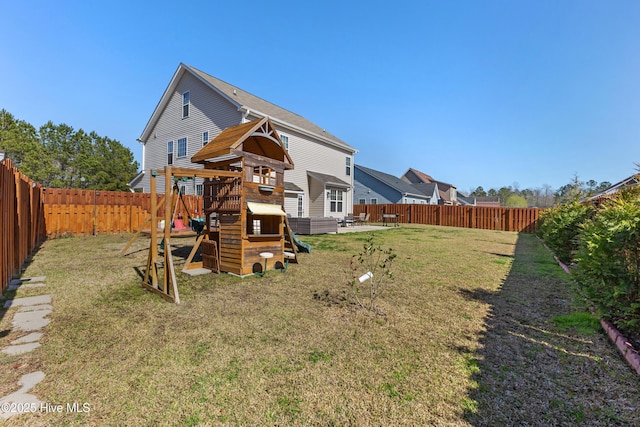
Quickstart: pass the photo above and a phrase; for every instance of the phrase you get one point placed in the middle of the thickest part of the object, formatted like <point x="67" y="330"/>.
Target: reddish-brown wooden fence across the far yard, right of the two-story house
<point x="488" y="218"/>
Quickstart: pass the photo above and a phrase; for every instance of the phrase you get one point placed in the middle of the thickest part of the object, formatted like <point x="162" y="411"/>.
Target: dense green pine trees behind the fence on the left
<point x="59" y="156"/>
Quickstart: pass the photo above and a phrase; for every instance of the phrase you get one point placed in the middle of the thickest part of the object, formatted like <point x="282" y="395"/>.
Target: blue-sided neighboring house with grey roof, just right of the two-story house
<point x="375" y="187"/>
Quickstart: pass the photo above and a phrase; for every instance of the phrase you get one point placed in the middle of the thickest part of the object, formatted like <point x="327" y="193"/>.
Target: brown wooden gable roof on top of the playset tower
<point x="257" y="137"/>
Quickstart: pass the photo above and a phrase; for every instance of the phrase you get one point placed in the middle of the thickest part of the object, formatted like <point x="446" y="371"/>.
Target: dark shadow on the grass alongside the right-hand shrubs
<point x="531" y="371"/>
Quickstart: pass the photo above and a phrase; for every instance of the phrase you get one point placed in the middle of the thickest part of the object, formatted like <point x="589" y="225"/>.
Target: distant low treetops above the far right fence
<point x="545" y="196"/>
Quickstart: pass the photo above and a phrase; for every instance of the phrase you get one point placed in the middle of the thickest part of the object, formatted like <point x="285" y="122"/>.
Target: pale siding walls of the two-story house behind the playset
<point x="212" y="112"/>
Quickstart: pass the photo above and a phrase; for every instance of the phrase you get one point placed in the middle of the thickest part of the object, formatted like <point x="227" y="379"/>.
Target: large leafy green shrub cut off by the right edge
<point x="608" y="259"/>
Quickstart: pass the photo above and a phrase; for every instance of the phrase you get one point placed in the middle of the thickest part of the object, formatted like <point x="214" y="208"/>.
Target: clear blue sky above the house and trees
<point x="472" y="92"/>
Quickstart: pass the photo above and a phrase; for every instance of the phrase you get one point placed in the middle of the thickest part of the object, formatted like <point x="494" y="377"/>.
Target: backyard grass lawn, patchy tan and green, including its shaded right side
<point x="478" y="329"/>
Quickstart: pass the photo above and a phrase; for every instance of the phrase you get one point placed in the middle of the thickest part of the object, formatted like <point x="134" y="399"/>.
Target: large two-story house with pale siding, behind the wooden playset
<point x="196" y="107"/>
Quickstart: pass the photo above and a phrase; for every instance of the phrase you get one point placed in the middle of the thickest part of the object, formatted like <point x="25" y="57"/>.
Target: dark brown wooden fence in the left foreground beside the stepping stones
<point x="22" y="226"/>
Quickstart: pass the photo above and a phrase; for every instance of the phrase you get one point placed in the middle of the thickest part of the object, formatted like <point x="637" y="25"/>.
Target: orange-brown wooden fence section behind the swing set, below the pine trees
<point x="89" y="212"/>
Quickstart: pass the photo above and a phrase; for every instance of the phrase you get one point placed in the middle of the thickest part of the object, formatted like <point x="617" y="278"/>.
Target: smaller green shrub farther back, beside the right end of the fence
<point x="559" y="227"/>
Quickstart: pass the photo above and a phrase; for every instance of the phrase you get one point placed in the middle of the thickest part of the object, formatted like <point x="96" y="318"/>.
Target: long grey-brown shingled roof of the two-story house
<point x="246" y="102"/>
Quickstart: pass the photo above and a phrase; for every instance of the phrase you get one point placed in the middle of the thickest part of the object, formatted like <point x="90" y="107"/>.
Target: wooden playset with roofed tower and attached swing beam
<point x="245" y="227"/>
